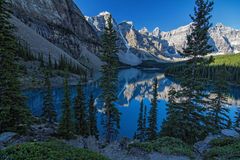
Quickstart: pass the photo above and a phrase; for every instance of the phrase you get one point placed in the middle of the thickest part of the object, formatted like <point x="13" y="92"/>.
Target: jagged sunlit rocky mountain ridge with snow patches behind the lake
<point x="165" y="46"/>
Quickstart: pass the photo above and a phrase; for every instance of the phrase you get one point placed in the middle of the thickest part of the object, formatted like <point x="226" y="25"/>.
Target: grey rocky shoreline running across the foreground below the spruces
<point x="118" y="150"/>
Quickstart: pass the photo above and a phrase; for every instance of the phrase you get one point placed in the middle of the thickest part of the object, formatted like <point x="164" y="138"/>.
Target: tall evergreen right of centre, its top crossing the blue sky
<point x="186" y="118"/>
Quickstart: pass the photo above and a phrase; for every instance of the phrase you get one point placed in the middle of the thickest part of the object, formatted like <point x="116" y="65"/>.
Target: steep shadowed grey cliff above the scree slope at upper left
<point x="61" y="23"/>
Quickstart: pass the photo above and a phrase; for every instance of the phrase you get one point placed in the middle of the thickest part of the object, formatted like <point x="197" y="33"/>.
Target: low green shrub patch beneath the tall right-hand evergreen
<point x="165" y="145"/>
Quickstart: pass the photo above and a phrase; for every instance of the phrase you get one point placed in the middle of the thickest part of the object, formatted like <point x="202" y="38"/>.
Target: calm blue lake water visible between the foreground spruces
<point x="134" y="85"/>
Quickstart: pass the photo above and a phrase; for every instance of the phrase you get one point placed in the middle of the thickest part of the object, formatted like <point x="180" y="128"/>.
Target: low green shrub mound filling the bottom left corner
<point x="48" y="151"/>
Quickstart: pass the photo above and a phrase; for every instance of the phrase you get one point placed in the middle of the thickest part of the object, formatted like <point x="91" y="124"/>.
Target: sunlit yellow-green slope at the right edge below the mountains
<point x="228" y="60"/>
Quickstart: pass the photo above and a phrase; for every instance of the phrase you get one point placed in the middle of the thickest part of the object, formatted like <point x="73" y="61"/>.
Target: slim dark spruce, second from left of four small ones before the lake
<point x="65" y="129"/>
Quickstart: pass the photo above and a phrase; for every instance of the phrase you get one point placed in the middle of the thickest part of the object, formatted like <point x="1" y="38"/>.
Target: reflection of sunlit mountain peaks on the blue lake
<point x="135" y="84"/>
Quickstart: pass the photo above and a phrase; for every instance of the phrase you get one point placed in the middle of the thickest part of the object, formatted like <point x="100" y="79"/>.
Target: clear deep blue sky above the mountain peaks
<point x="166" y="14"/>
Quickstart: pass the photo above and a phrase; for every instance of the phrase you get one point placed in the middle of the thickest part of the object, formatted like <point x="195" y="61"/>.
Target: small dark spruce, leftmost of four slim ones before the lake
<point x="49" y="113"/>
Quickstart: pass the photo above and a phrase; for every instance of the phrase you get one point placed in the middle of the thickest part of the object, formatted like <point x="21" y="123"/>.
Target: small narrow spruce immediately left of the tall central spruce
<point x="93" y="130"/>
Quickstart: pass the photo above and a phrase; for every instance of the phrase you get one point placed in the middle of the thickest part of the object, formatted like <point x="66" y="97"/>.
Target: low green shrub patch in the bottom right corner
<point x="224" y="148"/>
